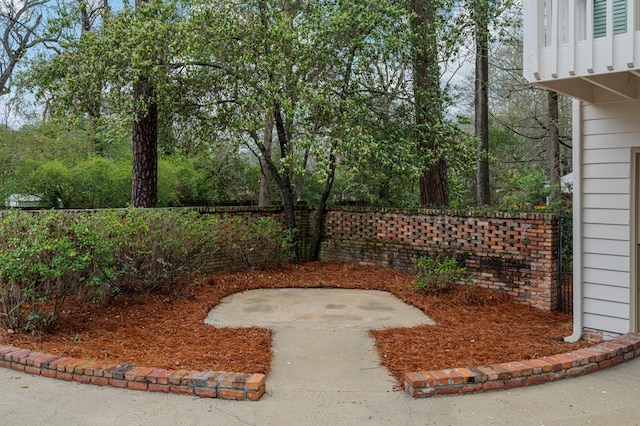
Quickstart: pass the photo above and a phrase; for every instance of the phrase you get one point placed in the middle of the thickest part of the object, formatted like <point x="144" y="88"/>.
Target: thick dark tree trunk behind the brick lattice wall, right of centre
<point x="434" y="189"/>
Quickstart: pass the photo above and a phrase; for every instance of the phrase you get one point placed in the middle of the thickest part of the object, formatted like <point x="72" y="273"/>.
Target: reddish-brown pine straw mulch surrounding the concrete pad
<point x="473" y="327"/>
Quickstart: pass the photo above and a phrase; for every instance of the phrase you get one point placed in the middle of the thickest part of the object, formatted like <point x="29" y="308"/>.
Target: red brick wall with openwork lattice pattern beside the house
<point x="509" y="252"/>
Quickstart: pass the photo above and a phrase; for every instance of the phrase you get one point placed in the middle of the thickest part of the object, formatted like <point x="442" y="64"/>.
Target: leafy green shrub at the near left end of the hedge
<point x="45" y="261"/>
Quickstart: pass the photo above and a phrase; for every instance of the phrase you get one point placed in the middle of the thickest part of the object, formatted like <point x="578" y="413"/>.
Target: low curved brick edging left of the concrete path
<point x="210" y="384"/>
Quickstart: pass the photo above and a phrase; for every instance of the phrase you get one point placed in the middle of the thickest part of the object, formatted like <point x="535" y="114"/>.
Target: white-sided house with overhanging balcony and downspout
<point x="590" y="50"/>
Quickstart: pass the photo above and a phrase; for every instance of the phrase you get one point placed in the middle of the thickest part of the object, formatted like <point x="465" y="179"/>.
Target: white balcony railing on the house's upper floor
<point x="574" y="38"/>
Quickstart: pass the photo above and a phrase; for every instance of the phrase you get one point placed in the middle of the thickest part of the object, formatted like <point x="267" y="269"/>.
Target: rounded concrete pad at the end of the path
<point x="315" y="308"/>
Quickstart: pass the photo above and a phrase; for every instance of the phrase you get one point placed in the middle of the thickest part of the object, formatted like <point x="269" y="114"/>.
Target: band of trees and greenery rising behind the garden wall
<point x="306" y="100"/>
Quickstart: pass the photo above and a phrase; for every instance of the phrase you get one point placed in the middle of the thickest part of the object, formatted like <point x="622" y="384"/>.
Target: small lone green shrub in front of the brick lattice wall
<point x="434" y="275"/>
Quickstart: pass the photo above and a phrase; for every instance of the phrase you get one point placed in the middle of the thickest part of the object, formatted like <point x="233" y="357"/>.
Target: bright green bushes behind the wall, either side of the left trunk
<point x="75" y="178"/>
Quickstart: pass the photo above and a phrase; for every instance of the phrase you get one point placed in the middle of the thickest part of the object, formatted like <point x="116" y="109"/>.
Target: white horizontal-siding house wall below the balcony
<point x="606" y="134"/>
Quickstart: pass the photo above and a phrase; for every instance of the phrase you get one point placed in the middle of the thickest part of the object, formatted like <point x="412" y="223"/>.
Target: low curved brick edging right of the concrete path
<point x="523" y="373"/>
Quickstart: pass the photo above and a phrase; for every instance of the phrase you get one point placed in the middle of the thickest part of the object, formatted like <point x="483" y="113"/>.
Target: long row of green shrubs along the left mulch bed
<point x="51" y="258"/>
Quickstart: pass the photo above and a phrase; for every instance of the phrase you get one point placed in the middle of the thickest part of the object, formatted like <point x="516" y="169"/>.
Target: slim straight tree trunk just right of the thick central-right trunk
<point x="483" y="188"/>
